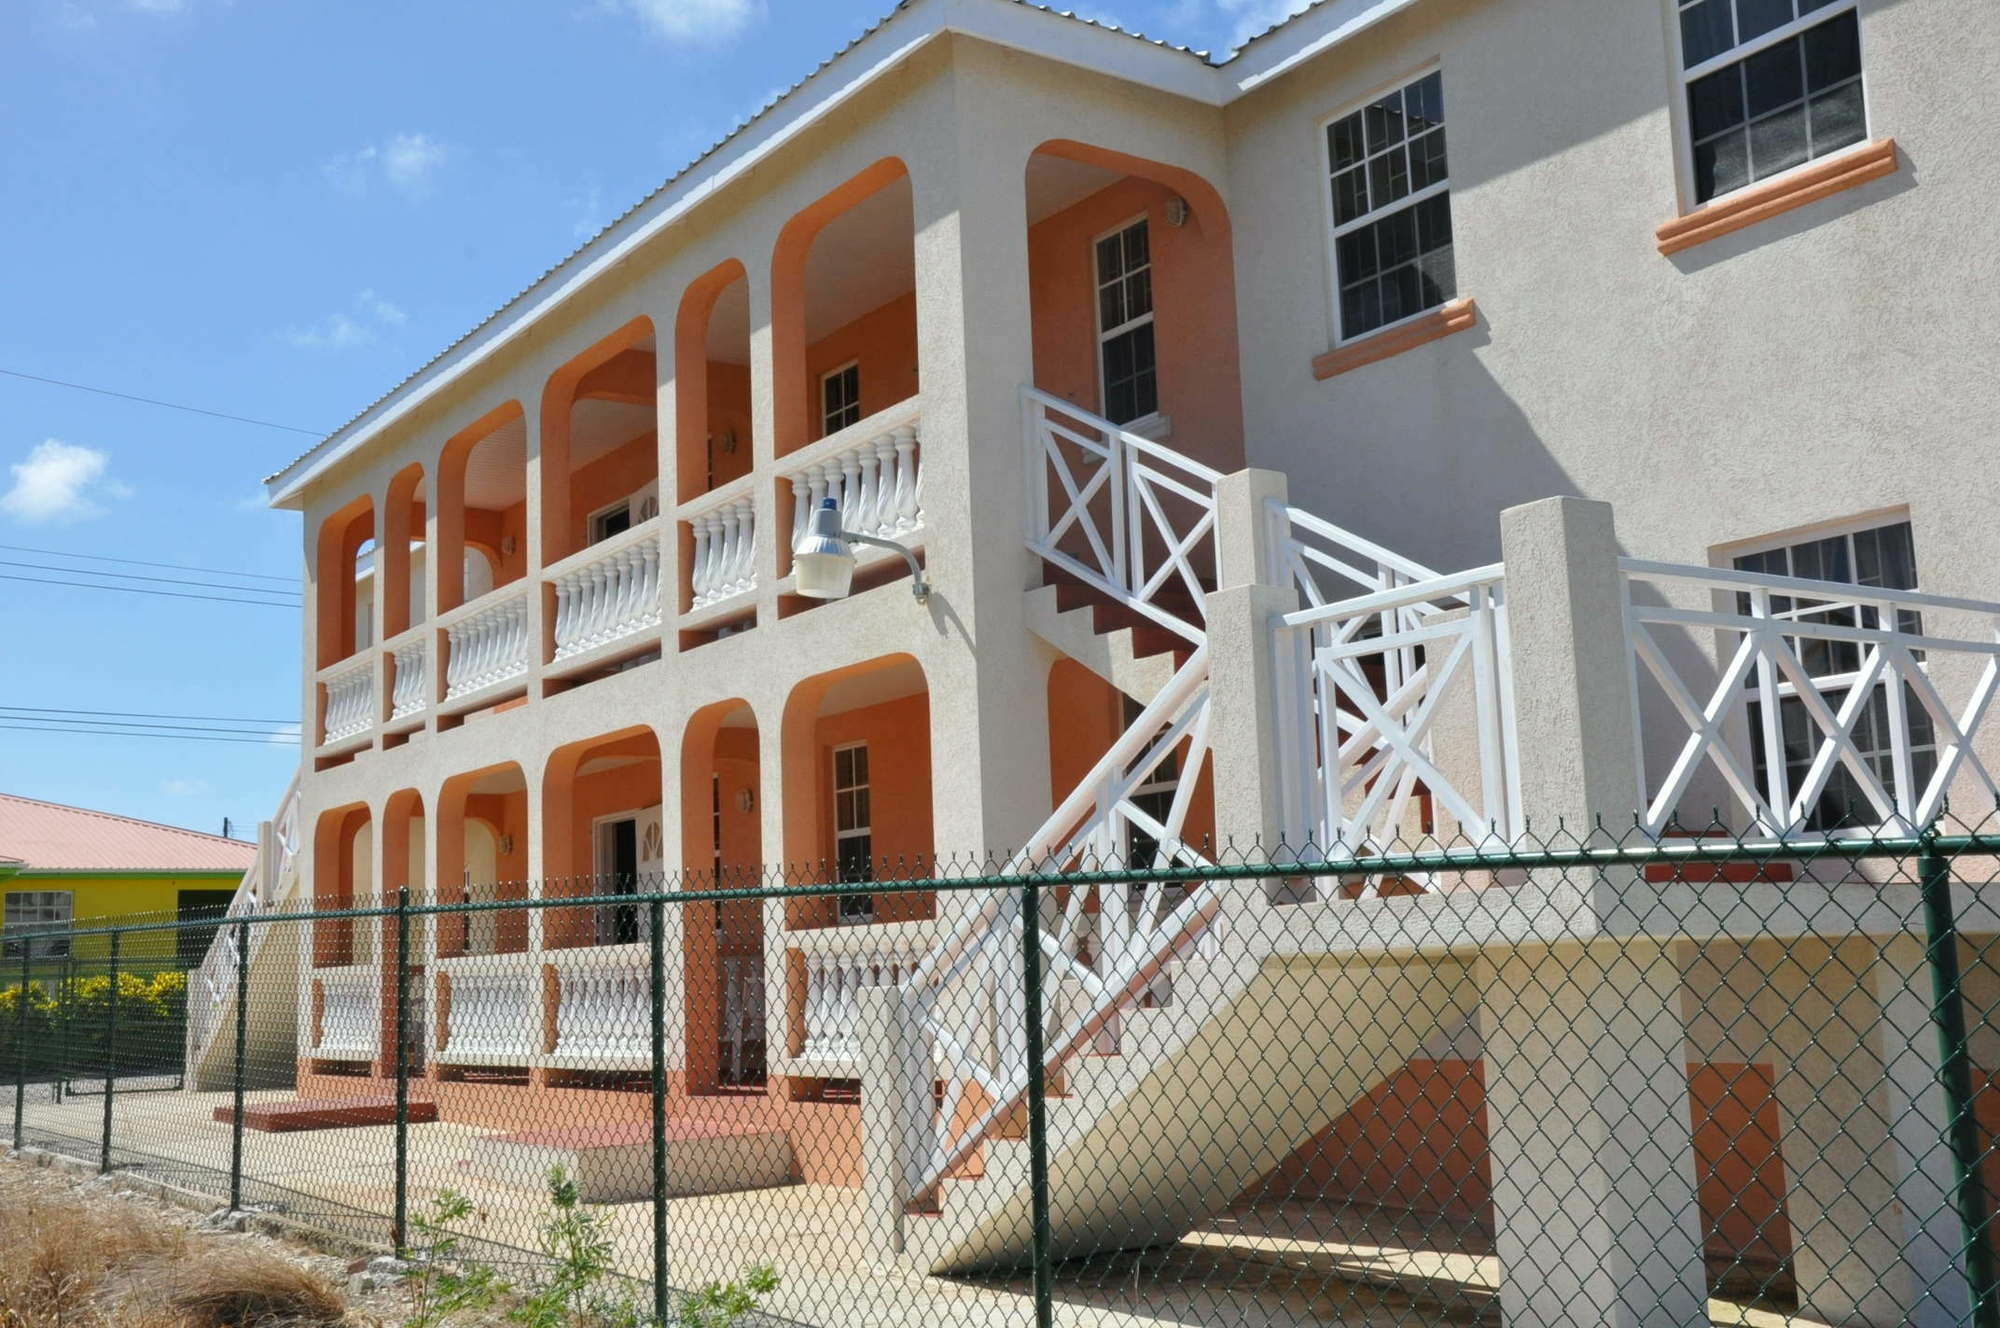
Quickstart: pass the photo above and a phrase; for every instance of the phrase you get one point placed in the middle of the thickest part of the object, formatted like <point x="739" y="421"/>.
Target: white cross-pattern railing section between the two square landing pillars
<point x="1373" y="687"/>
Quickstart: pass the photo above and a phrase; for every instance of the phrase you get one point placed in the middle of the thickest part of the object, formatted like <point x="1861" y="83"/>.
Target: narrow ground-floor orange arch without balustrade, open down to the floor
<point x="723" y="941"/>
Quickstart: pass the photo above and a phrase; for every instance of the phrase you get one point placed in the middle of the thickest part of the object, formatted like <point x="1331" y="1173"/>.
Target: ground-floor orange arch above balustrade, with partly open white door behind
<point x="601" y="837"/>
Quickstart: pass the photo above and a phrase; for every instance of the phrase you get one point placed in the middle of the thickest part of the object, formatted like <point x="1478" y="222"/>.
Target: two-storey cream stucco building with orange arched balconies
<point x="1187" y="379"/>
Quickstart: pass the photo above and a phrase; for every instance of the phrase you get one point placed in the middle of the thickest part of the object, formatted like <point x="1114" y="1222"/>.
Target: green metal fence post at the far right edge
<point x="1955" y="1067"/>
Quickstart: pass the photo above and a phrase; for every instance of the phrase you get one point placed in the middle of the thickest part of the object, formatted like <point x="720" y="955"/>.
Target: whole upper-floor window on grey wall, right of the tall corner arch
<point x="1393" y="209"/>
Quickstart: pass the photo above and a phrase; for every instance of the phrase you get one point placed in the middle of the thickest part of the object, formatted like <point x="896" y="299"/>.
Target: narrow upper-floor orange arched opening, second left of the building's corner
<point x="713" y="381"/>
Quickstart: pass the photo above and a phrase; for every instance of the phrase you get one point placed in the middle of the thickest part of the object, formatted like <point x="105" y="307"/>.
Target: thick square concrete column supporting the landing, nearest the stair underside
<point x="1587" y="1113"/>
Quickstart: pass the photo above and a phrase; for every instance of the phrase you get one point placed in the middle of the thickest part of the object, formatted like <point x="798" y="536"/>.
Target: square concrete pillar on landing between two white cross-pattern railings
<point x="1573" y="679"/>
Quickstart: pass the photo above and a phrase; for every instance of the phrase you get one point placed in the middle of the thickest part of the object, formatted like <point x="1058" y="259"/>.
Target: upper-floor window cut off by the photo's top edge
<point x="1771" y="85"/>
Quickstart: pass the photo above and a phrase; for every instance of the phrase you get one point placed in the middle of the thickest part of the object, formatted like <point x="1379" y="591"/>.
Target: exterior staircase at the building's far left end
<point x="273" y="973"/>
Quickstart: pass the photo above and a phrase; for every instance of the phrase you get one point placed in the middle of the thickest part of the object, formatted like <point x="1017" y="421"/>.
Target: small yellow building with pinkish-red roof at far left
<point x="69" y="867"/>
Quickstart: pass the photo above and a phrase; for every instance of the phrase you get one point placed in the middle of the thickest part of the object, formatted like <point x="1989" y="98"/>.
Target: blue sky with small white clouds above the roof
<point x="277" y="211"/>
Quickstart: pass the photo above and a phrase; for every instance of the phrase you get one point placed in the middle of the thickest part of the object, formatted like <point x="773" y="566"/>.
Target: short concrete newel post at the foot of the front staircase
<point x="895" y="1115"/>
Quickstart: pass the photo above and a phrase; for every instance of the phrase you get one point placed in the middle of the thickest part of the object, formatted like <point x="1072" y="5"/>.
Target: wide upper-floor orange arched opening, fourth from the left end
<point x="601" y="443"/>
